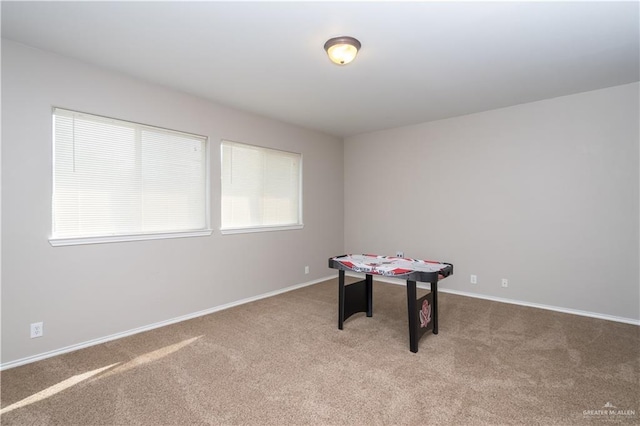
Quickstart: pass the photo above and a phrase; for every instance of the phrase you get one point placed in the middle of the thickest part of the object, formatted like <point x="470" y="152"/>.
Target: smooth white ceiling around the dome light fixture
<point x="420" y="61"/>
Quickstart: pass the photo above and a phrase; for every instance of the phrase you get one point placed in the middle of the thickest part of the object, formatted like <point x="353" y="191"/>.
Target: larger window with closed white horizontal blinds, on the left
<point x="115" y="181"/>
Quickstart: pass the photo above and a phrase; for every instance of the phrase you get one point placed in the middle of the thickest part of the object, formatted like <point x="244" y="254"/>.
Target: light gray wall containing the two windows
<point x="92" y="291"/>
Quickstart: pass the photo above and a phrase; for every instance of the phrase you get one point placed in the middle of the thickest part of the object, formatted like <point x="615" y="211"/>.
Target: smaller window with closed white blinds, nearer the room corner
<point x="261" y="188"/>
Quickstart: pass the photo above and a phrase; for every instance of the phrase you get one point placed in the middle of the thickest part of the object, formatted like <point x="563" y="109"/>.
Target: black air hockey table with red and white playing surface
<point x="358" y="296"/>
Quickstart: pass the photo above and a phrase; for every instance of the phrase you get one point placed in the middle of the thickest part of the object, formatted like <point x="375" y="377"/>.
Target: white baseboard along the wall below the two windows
<point x="93" y="342"/>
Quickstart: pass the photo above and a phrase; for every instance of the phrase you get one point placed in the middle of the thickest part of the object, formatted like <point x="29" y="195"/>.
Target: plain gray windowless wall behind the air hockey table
<point x="544" y="194"/>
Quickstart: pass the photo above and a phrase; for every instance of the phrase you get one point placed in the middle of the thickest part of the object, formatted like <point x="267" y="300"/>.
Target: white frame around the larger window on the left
<point x="153" y="235"/>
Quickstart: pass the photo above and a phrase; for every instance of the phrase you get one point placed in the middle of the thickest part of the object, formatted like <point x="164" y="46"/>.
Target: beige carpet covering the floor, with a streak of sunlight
<point x="282" y="360"/>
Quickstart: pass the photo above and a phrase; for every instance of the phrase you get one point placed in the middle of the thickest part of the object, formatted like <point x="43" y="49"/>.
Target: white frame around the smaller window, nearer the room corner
<point x="263" y="228"/>
